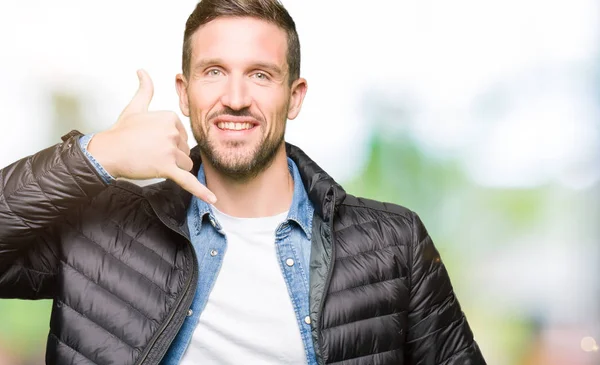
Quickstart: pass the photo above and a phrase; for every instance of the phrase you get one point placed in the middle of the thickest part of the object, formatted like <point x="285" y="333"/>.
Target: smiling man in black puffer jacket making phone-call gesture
<point x="284" y="268"/>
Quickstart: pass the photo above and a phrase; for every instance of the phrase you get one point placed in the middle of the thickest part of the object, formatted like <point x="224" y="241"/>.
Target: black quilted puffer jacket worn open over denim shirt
<point x="117" y="262"/>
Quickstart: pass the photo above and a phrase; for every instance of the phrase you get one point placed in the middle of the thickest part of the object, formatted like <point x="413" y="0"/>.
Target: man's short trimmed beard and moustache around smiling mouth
<point x="233" y="159"/>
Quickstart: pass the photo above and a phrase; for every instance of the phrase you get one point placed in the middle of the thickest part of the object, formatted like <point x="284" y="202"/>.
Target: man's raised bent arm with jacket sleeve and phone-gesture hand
<point x="37" y="191"/>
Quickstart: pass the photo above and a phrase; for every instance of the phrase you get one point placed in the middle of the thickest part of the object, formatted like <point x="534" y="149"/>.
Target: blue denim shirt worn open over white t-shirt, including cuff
<point x="292" y="240"/>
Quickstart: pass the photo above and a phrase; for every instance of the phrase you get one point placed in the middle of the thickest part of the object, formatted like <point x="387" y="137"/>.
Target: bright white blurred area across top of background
<point x="533" y="58"/>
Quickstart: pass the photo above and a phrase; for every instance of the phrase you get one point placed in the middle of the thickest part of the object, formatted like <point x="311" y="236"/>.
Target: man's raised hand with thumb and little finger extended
<point x="146" y="144"/>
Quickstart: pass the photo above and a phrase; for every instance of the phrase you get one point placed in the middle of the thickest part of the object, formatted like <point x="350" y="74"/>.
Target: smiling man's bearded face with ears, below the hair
<point x="238" y="95"/>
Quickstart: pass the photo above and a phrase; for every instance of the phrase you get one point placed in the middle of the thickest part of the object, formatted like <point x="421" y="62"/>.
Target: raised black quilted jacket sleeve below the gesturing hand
<point x="35" y="192"/>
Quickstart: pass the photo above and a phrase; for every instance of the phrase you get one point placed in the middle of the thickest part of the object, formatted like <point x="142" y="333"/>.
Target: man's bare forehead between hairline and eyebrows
<point x="239" y="40"/>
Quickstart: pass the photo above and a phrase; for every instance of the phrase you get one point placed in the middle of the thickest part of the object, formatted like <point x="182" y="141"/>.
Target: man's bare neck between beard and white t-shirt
<point x="267" y="194"/>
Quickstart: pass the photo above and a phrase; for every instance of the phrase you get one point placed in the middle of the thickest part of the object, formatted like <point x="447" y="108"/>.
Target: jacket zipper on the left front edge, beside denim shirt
<point x="165" y="326"/>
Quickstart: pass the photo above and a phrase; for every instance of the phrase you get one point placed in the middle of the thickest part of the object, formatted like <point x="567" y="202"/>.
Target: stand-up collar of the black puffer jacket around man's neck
<point x="170" y="202"/>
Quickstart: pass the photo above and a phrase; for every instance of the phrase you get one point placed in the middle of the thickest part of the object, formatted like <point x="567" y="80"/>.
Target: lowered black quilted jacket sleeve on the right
<point x="438" y="331"/>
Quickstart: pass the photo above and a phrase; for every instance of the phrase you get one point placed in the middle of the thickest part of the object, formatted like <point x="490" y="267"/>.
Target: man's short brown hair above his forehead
<point x="269" y="10"/>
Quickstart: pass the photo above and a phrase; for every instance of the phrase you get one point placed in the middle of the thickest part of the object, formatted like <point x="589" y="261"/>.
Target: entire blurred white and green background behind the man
<point x="481" y="116"/>
